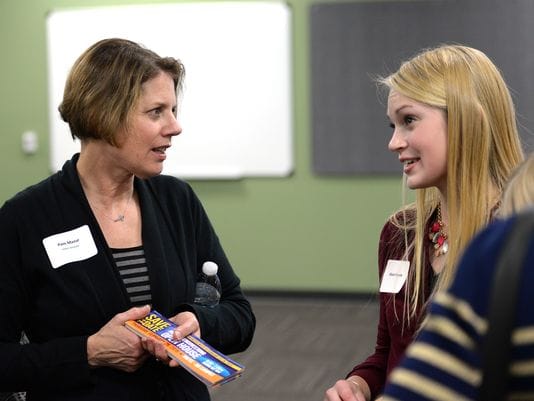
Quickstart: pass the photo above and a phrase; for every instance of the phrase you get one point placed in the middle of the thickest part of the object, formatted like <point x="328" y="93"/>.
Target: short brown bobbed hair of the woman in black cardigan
<point x="104" y="84"/>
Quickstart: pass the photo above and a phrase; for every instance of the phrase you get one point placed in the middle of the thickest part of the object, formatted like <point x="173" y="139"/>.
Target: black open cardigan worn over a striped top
<point x="59" y="308"/>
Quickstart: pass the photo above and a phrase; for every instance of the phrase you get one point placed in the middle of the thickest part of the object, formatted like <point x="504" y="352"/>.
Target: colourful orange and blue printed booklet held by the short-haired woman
<point x="198" y="357"/>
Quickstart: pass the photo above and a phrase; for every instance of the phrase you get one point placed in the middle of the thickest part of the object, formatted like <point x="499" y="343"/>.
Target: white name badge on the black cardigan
<point x="70" y="246"/>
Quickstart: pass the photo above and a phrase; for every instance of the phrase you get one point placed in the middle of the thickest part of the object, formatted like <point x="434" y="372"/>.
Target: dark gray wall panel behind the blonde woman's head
<point x="353" y="42"/>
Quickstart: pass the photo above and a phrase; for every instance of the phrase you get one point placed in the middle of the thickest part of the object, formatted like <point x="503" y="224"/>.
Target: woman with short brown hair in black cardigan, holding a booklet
<point x="94" y="244"/>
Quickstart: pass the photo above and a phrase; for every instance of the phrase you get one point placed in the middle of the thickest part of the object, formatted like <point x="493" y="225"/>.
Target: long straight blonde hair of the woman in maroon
<point x="483" y="147"/>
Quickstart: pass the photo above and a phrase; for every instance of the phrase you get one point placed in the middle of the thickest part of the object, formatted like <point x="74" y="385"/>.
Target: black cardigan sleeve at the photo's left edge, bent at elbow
<point x="61" y="362"/>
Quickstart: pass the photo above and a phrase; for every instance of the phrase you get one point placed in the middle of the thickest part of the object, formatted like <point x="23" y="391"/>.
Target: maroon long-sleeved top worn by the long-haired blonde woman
<point x="392" y="338"/>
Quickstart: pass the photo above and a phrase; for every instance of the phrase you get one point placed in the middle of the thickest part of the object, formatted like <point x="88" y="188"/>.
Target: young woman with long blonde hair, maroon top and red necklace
<point x="455" y="133"/>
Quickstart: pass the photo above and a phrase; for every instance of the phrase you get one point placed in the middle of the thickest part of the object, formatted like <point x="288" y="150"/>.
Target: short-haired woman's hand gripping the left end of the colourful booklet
<point x="116" y="346"/>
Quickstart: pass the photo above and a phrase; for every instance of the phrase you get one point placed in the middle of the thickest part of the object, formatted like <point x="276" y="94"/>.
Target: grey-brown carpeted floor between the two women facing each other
<point x="302" y="346"/>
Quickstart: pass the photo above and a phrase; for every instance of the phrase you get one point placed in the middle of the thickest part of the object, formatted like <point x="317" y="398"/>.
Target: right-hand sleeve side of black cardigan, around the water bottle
<point x="230" y="325"/>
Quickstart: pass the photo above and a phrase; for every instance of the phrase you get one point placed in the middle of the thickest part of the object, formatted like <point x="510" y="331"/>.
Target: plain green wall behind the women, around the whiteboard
<point x="303" y="232"/>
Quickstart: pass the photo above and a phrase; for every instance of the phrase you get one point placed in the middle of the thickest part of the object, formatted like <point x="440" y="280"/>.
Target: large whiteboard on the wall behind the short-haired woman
<point x="236" y="107"/>
